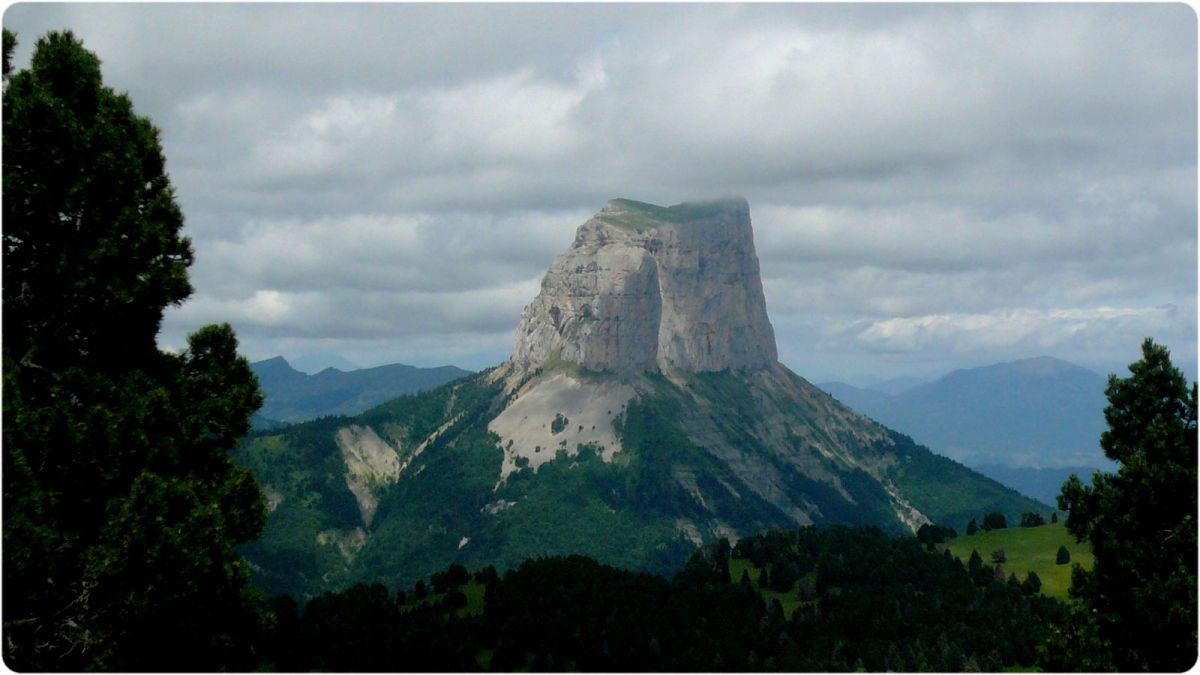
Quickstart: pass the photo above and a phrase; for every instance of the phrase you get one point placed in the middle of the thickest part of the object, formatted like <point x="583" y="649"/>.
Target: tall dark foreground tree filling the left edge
<point x="122" y="509"/>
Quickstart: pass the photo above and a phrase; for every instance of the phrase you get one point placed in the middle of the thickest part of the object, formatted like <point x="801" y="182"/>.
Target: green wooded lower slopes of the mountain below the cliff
<point x="643" y="511"/>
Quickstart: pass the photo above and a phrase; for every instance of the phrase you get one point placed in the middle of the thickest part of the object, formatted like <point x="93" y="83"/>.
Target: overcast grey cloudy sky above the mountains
<point x="932" y="187"/>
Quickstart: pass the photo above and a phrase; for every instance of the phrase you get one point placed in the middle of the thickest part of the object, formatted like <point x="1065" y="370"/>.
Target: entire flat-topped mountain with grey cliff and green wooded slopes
<point x="644" y="411"/>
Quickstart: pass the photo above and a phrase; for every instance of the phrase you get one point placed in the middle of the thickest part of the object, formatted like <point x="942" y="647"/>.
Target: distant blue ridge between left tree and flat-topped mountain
<point x="293" y="397"/>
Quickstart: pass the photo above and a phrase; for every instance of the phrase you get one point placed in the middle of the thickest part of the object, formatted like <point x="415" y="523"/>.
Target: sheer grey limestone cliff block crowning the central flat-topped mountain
<point x="646" y="288"/>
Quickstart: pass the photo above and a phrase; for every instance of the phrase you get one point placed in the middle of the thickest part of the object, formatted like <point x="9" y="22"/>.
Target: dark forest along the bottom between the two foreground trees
<point x="839" y="600"/>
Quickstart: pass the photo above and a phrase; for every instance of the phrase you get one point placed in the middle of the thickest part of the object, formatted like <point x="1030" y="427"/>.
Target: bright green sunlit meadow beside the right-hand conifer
<point x="1029" y="549"/>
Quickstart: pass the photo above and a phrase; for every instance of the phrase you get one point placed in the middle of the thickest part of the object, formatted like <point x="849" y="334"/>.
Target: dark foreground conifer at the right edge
<point x="1139" y="601"/>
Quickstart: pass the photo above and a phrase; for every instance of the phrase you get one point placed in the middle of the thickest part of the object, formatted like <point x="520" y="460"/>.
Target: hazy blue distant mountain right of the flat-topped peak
<point x="1041" y="413"/>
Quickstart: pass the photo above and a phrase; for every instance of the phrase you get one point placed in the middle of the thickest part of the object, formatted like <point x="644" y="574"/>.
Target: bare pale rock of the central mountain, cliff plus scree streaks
<point x="676" y="292"/>
